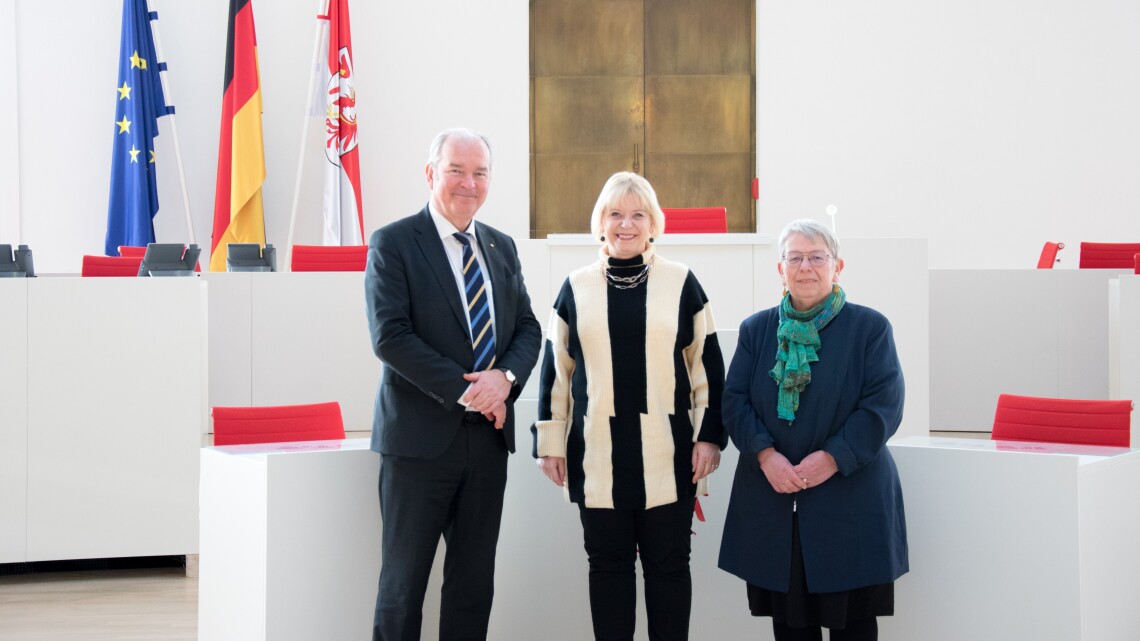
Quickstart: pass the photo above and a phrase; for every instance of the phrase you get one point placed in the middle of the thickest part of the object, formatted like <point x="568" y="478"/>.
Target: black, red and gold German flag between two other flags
<point x="239" y="216"/>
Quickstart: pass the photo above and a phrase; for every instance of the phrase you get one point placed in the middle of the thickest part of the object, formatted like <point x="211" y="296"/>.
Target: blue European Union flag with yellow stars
<point x="140" y="106"/>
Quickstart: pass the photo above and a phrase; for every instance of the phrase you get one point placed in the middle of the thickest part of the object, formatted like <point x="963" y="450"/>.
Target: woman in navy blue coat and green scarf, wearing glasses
<point x="816" y="522"/>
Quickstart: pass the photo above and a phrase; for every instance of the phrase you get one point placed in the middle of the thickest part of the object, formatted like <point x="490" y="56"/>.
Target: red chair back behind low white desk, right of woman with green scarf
<point x="1063" y="420"/>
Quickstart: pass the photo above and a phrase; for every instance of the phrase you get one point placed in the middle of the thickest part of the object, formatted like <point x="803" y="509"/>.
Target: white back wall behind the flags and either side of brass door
<point x="988" y="127"/>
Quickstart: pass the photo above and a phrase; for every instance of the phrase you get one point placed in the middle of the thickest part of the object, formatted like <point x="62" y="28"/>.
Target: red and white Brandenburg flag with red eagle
<point x="337" y="102"/>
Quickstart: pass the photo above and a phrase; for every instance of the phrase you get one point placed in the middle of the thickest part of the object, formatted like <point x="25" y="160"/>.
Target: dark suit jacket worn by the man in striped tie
<point x="420" y="331"/>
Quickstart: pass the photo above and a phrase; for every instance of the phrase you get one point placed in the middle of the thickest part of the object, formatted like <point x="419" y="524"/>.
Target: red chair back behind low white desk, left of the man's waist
<point x="280" y="424"/>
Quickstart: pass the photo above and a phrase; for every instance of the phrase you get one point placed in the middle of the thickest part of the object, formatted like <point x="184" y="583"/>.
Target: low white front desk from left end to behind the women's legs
<point x="290" y="550"/>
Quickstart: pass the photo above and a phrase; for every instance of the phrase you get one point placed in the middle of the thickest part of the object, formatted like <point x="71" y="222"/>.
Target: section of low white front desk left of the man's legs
<point x="290" y="542"/>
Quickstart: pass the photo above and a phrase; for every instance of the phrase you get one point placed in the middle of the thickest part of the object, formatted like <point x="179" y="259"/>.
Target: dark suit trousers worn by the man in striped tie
<point x="458" y="497"/>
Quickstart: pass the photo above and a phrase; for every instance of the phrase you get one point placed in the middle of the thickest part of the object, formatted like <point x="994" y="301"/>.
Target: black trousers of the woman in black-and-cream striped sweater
<point x="614" y="541"/>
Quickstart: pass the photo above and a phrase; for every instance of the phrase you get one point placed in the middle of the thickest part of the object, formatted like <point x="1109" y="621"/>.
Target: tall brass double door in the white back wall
<point x="661" y="87"/>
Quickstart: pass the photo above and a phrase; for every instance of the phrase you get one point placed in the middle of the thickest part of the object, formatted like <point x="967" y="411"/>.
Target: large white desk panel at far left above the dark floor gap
<point x="117" y="396"/>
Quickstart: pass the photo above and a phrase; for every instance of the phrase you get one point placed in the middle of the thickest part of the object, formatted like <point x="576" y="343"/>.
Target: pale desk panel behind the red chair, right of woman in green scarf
<point x="1033" y="332"/>
